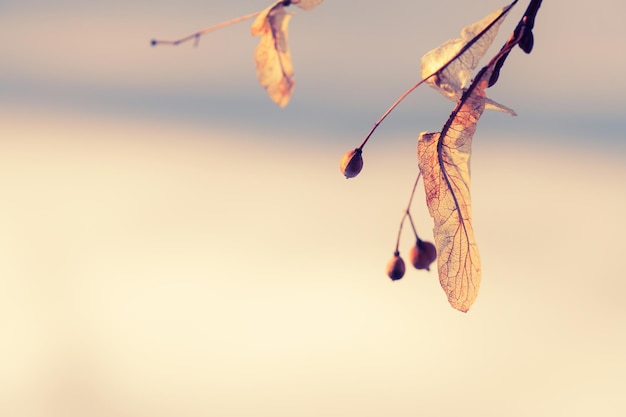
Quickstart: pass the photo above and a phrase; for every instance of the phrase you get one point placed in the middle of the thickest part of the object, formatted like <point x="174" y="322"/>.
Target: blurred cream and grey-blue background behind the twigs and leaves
<point x="173" y="243"/>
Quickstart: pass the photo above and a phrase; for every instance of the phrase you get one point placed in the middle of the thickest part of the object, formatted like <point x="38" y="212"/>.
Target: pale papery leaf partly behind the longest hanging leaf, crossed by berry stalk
<point x="449" y="67"/>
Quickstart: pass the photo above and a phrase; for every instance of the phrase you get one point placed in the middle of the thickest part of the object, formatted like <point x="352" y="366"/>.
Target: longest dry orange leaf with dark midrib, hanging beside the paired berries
<point x="444" y="161"/>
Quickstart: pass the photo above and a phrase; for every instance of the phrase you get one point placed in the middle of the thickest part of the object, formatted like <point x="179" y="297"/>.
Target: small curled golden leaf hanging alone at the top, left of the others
<point x="271" y="57"/>
